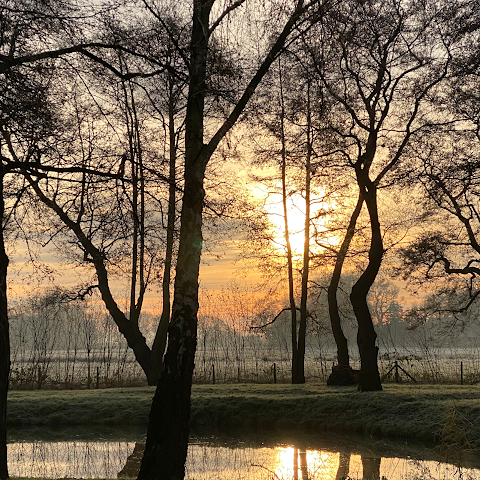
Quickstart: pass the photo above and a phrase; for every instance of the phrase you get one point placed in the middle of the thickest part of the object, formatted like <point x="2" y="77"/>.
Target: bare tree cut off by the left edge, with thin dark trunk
<point x="25" y="29"/>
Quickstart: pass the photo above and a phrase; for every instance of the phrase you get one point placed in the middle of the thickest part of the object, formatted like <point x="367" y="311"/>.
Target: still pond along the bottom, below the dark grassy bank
<point x="108" y="453"/>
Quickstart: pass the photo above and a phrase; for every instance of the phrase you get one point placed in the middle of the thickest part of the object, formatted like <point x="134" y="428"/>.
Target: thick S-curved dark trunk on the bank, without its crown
<point x="366" y="336"/>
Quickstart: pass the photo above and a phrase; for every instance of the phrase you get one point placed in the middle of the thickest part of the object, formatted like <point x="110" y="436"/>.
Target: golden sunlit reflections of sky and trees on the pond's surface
<point x="209" y="460"/>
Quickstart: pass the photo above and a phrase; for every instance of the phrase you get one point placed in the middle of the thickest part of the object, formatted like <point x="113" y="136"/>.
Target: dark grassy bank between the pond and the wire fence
<point x="417" y="412"/>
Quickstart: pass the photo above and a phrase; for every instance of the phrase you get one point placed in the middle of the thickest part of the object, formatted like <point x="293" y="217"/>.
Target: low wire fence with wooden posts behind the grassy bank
<point x="59" y="370"/>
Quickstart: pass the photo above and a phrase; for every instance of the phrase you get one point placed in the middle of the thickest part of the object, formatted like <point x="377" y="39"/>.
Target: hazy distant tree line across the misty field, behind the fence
<point x="60" y="343"/>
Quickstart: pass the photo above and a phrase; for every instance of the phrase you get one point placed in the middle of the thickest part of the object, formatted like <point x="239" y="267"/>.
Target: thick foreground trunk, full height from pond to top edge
<point x="168" y="428"/>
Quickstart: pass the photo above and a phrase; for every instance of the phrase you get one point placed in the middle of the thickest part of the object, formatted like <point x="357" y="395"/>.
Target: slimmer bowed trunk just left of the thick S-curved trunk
<point x="343" y="357"/>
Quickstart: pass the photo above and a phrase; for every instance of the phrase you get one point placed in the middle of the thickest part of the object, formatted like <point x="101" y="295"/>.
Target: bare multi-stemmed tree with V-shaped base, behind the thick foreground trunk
<point x="103" y="236"/>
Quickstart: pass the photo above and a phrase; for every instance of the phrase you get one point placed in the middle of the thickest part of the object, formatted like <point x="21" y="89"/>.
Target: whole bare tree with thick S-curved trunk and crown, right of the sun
<point x="380" y="62"/>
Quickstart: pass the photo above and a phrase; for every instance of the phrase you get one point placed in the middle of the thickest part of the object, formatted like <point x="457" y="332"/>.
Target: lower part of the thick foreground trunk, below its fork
<point x="168" y="428"/>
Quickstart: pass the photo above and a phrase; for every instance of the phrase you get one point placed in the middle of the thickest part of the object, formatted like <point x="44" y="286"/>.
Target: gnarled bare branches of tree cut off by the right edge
<point x="446" y="249"/>
